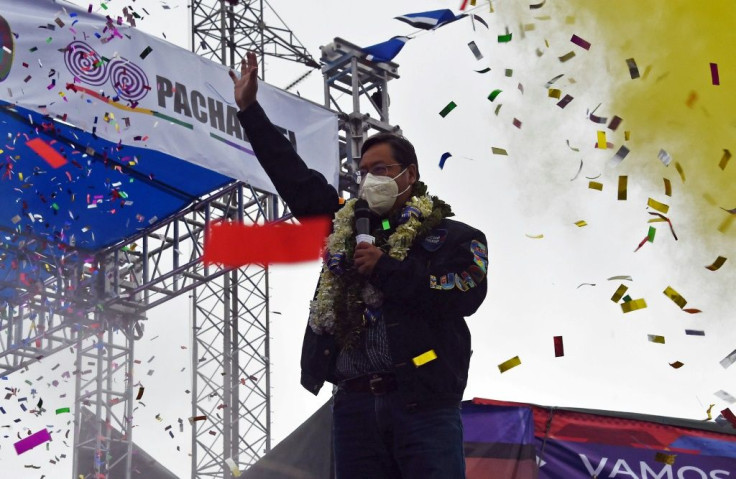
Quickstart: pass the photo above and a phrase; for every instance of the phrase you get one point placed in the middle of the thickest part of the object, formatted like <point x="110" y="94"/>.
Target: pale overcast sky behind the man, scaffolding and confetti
<point x="547" y="276"/>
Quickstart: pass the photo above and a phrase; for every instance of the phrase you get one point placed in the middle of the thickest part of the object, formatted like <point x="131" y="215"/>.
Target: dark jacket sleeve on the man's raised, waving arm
<point x="306" y="191"/>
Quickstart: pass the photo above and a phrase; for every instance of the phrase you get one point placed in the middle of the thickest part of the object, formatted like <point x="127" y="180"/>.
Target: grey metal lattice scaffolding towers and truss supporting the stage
<point x="95" y="303"/>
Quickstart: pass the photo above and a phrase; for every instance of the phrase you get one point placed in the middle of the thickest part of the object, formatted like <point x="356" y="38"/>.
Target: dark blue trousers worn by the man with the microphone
<point x="376" y="437"/>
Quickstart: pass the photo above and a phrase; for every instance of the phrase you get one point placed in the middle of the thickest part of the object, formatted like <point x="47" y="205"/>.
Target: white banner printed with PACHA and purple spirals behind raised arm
<point x="107" y="77"/>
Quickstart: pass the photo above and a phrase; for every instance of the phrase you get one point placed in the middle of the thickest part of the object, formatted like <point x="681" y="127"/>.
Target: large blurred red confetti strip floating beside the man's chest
<point x="236" y="244"/>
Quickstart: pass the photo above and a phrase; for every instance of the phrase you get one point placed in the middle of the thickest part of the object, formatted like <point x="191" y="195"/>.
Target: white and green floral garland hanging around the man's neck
<point x="345" y="298"/>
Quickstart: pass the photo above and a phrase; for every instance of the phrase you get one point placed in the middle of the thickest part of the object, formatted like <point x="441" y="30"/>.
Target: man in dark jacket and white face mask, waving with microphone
<point x="387" y="324"/>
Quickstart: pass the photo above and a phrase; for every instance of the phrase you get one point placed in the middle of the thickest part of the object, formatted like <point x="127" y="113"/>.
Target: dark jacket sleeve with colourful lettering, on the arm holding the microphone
<point x="452" y="281"/>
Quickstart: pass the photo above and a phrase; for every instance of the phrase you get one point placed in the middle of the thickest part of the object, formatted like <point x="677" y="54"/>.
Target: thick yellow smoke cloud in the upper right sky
<point x="674" y="105"/>
